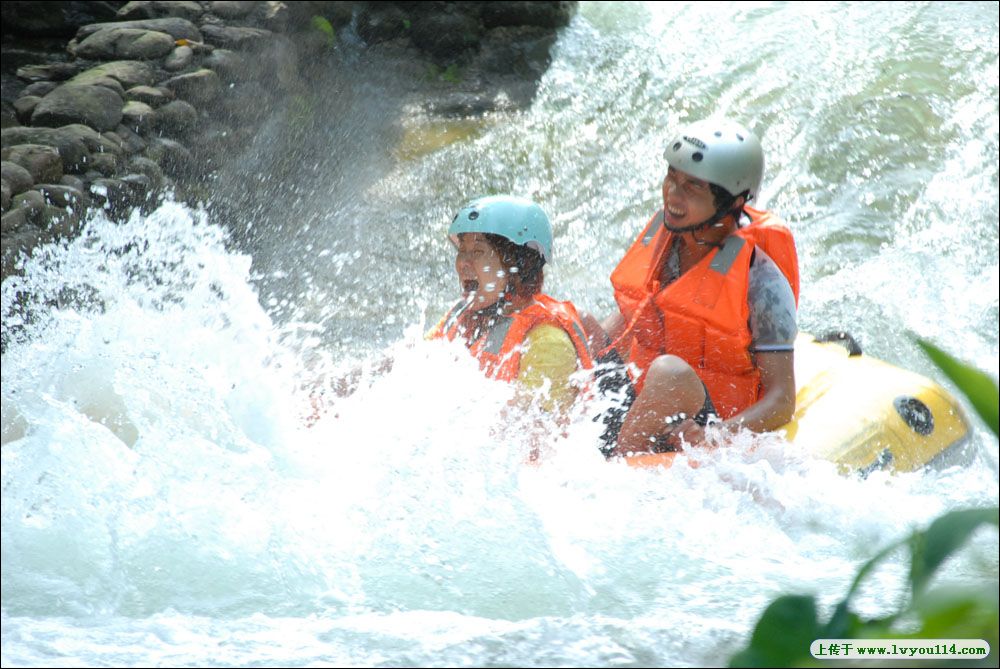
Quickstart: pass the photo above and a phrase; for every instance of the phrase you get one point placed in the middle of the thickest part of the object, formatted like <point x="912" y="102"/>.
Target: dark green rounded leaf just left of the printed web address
<point x="782" y="635"/>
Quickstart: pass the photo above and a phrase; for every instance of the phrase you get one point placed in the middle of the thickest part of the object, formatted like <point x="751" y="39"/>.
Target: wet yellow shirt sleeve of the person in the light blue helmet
<point x="549" y="357"/>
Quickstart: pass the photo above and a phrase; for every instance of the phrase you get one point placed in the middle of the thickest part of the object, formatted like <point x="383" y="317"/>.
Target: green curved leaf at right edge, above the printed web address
<point x="945" y="535"/>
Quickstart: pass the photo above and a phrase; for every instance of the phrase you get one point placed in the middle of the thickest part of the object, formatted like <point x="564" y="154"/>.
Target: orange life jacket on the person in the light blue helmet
<point x="499" y="349"/>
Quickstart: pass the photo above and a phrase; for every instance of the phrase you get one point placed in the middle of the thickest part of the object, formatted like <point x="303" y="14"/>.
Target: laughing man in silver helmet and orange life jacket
<point x="707" y="296"/>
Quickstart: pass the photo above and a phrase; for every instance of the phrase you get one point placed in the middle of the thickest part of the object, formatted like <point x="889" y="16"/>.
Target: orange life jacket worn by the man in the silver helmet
<point x="702" y="317"/>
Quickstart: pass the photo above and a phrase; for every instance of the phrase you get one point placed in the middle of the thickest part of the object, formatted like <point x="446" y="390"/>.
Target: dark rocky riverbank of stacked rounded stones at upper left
<point x="112" y="105"/>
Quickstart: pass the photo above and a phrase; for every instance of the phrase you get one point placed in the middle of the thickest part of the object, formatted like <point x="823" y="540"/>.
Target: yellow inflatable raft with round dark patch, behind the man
<point x="862" y="413"/>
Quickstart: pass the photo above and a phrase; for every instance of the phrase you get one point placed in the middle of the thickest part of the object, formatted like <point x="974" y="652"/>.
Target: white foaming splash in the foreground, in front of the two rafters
<point x="159" y="484"/>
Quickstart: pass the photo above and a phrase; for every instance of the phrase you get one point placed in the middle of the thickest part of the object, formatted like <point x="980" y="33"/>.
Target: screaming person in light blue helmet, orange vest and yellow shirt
<point x="515" y="331"/>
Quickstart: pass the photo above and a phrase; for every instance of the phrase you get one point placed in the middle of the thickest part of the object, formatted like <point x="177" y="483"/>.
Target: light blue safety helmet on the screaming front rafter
<point x="515" y="218"/>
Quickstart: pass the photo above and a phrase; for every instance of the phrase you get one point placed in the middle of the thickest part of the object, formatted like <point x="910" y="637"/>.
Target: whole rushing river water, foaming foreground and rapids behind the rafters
<point x="163" y="503"/>
